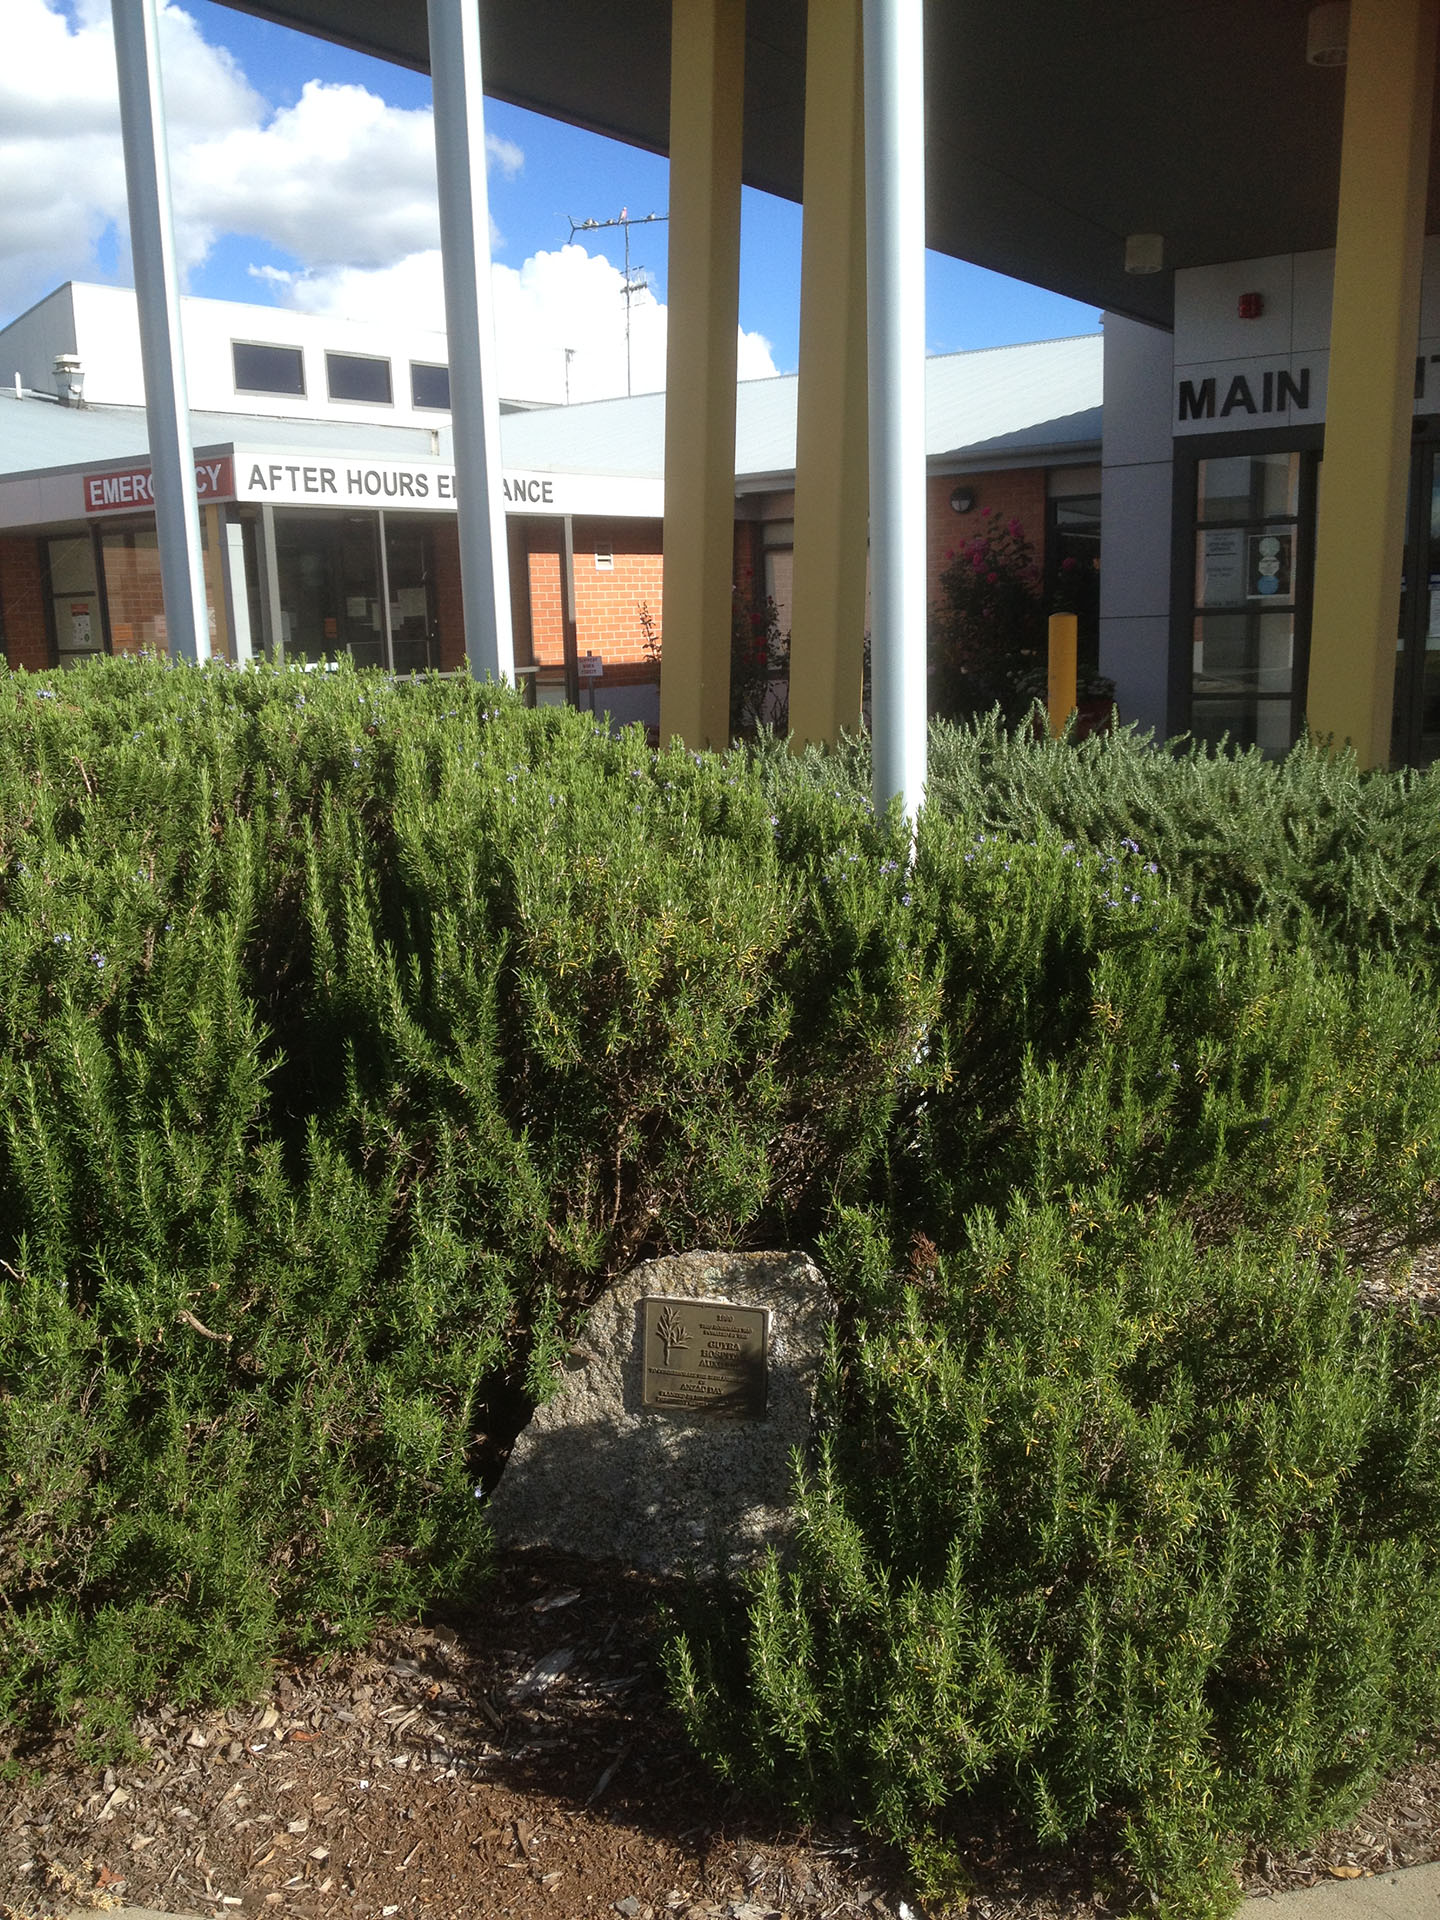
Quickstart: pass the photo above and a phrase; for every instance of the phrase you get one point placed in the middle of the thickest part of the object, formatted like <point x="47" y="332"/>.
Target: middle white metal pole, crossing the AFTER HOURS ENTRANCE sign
<point x="471" y="327"/>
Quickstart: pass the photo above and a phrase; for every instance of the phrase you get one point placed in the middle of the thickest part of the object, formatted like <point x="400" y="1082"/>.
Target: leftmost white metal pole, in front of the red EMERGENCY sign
<point x="162" y="352"/>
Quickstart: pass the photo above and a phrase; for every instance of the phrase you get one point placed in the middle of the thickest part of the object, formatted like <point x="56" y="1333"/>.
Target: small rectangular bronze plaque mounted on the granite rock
<point x="706" y="1356"/>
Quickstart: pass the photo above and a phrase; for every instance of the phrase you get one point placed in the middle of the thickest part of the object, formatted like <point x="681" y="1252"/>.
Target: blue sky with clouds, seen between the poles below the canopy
<point x="264" y="126"/>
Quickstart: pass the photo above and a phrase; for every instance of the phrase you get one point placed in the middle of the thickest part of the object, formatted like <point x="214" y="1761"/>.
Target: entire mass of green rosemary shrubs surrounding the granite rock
<point x="352" y="1034"/>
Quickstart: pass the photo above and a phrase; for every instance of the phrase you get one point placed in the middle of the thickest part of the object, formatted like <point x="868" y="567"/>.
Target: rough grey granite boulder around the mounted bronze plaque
<point x="600" y="1476"/>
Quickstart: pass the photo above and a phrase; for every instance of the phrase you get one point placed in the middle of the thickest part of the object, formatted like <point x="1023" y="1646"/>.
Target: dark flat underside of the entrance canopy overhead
<point x="1055" y="128"/>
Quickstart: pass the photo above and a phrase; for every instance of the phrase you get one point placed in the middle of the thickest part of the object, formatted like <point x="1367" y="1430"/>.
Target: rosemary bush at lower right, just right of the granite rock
<point x="1109" y="1533"/>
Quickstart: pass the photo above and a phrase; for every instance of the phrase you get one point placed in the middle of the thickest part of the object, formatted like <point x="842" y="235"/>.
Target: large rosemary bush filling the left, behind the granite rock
<point x="350" y="1036"/>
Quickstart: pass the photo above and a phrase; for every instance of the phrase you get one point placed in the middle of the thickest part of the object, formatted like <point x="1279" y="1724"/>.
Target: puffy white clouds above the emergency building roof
<point x="341" y="181"/>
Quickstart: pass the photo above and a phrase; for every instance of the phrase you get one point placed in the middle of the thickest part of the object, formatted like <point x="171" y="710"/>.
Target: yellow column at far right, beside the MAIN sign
<point x="1370" y="402"/>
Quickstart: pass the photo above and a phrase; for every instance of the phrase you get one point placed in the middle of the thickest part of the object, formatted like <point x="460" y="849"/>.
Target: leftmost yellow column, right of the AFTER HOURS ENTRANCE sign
<point x="708" y="99"/>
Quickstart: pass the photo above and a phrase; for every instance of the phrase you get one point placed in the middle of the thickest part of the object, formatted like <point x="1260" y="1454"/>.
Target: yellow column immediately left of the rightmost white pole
<point x="832" y="481"/>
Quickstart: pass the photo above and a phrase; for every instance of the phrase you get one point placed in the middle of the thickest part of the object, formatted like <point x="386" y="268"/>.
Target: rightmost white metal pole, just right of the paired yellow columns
<point x="896" y="308"/>
